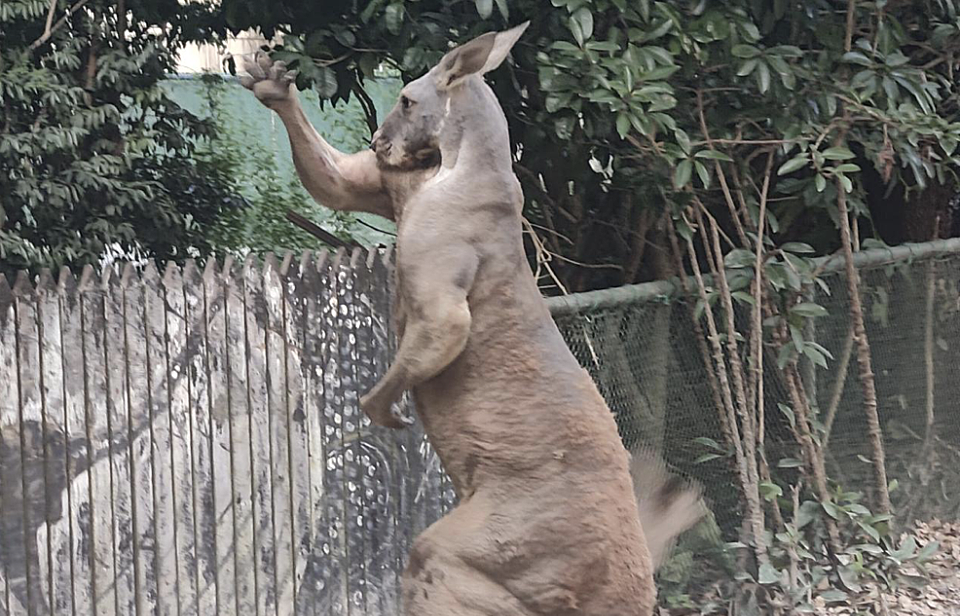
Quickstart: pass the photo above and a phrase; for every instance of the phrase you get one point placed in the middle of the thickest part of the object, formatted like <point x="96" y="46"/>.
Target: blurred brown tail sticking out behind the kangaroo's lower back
<point x="668" y="504"/>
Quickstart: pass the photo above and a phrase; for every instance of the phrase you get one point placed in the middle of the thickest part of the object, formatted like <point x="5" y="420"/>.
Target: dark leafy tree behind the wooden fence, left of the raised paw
<point x="94" y="157"/>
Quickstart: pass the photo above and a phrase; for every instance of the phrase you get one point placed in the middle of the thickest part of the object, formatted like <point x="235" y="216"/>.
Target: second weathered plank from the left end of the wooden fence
<point x="32" y="439"/>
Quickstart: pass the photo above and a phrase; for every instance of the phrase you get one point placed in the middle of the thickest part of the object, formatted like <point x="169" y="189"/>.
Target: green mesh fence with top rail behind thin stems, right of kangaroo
<point x="639" y="345"/>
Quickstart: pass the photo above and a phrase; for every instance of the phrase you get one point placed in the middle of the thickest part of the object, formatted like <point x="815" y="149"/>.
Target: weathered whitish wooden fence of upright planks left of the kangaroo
<point x="190" y="442"/>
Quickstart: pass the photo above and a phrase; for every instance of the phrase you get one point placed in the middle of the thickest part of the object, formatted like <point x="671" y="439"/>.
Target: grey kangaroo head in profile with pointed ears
<point x="412" y="134"/>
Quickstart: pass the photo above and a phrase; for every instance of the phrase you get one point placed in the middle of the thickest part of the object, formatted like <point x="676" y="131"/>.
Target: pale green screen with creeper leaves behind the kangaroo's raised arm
<point x="252" y="146"/>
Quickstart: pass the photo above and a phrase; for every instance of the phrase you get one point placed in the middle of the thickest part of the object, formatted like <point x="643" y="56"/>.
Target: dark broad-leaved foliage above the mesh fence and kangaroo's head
<point x="603" y="103"/>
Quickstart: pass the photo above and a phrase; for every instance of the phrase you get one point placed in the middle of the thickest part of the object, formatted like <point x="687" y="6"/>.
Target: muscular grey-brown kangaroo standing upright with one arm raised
<point x="547" y="523"/>
